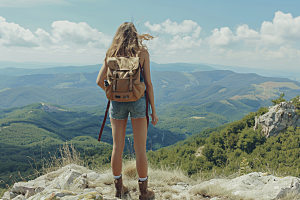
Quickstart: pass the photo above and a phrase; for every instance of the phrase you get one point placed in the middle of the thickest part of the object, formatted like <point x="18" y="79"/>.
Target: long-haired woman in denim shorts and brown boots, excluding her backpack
<point x="127" y="42"/>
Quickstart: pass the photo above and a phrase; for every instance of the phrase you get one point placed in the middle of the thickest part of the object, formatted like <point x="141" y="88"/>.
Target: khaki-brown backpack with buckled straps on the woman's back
<point x="123" y="79"/>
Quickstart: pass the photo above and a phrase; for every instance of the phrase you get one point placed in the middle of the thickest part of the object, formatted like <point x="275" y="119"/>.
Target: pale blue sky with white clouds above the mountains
<point x="256" y="34"/>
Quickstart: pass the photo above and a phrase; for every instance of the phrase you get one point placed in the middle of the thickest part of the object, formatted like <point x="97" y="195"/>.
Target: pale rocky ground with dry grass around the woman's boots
<point x="74" y="182"/>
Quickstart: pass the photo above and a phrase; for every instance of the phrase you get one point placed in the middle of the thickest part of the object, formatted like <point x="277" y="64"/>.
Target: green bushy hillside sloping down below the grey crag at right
<point x="232" y="148"/>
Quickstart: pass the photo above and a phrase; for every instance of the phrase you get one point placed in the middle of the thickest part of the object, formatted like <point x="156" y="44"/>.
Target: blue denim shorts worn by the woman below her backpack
<point x="136" y="109"/>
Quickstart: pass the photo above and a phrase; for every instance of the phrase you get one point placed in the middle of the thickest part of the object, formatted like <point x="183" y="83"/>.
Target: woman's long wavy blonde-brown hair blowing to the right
<point x="127" y="41"/>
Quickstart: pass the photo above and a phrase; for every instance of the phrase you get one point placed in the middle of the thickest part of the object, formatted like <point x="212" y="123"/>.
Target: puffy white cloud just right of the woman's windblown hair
<point x="184" y="28"/>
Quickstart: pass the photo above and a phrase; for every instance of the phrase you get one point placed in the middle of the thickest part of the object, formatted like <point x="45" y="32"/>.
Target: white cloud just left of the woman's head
<point x="79" y="33"/>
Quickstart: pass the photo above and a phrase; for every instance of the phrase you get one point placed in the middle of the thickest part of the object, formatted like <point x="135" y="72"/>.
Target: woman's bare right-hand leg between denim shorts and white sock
<point x="139" y="127"/>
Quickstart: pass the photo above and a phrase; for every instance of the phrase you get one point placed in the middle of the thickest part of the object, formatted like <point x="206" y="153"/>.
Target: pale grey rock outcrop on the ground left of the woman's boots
<point x="69" y="182"/>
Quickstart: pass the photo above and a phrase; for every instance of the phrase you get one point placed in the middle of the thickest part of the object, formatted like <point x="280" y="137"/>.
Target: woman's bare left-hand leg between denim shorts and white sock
<point x="118" y="132"/>
